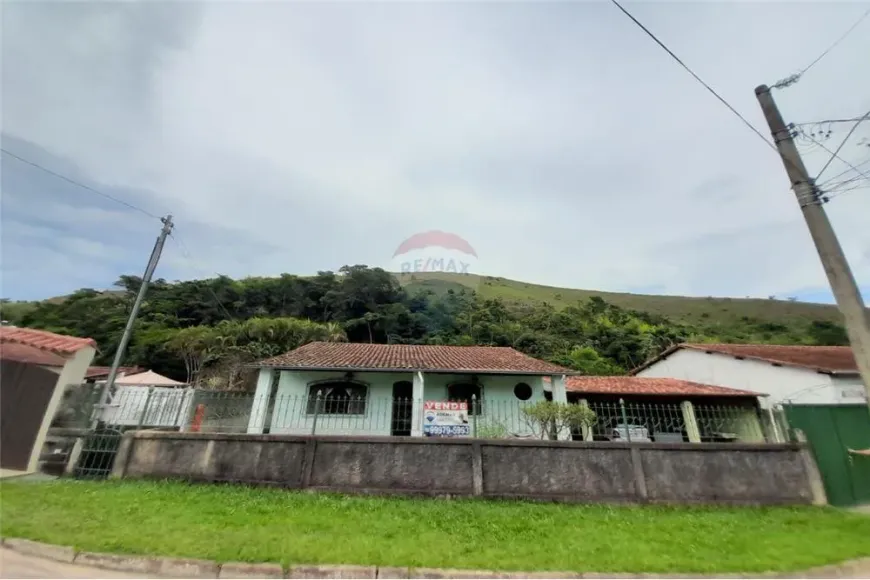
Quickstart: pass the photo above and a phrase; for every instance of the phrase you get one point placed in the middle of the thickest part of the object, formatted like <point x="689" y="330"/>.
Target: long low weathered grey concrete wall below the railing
<point x="570" y="471"/>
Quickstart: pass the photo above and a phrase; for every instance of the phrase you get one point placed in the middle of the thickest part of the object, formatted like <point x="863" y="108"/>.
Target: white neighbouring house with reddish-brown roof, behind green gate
<point x="798" y="375"/>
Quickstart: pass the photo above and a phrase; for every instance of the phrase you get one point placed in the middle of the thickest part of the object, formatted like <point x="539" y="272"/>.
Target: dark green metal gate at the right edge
<point x="831" y="431"/>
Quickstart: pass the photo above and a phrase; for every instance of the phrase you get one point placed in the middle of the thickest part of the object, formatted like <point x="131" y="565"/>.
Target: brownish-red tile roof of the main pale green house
<point x="467" y="359"/>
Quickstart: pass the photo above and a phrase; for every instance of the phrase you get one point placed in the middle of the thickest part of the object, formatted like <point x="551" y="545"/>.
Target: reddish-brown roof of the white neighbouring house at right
<point x="827" y="359"/>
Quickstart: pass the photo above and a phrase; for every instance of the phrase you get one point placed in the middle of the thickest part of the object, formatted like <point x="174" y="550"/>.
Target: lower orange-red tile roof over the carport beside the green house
<point x="650" y="386"/>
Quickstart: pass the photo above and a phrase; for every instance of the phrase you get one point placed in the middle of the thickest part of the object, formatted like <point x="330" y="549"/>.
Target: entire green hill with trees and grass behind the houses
<point x="238" y="321"/>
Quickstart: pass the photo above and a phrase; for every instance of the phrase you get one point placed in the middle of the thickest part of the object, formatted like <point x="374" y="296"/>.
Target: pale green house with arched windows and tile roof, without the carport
<point x="380" y="389"/>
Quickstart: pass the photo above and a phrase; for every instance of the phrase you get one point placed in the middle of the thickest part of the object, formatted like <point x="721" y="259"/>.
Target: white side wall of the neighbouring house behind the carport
<point x="782" y="383"/>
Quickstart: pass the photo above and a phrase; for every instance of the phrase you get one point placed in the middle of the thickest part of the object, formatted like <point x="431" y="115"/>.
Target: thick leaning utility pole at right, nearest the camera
<point x="834" y="261"/>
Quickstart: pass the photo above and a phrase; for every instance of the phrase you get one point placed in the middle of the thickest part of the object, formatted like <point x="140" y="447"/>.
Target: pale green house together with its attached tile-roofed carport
<point x="481" y="391"/>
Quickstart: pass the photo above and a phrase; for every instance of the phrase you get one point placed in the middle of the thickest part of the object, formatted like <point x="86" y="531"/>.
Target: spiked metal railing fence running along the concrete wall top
<point x="230" y="412"/>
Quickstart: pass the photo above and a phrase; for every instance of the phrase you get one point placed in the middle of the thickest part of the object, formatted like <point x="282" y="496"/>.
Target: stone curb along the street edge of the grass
<point x="190" y="568"/>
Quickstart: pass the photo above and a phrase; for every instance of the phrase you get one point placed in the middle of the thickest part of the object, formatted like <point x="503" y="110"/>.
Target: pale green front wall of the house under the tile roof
<point x="289" y="408"/>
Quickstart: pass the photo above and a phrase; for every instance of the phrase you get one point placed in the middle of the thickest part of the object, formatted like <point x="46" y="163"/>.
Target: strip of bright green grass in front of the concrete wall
<point x="229" y="523"/>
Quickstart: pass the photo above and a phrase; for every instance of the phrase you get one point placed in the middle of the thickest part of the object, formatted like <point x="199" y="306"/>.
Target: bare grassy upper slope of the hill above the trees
<point x="685" y="309"/>
